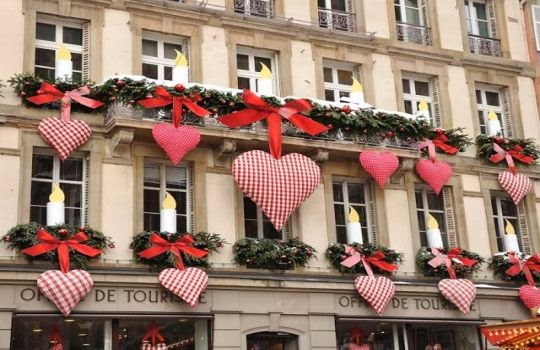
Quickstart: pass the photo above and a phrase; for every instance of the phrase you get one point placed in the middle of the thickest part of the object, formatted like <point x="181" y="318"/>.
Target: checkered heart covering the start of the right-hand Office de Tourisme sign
<point x="377" y="291"/>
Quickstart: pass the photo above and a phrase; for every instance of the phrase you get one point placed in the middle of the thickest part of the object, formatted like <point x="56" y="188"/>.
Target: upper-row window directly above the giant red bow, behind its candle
<point x="248" y="64"/>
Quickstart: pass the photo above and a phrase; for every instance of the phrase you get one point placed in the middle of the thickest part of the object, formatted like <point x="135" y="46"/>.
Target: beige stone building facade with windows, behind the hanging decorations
<point x="465" y="58"/>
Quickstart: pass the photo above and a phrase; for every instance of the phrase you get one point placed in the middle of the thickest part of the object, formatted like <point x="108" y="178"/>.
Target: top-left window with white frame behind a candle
<point x="49" y="36"/>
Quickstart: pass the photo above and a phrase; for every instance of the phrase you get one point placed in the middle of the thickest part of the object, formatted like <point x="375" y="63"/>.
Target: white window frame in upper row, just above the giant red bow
<point x="252" y="74"/>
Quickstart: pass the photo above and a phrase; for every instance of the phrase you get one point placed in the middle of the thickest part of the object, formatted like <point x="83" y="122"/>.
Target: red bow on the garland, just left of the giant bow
<point x="164" y="98"/>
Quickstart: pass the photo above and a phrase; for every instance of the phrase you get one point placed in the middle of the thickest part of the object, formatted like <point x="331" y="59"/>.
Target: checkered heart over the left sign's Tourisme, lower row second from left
<point x="188" y="284"/>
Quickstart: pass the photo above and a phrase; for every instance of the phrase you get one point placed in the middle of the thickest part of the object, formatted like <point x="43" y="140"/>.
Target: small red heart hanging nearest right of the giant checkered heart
<point x="379" y="165"/>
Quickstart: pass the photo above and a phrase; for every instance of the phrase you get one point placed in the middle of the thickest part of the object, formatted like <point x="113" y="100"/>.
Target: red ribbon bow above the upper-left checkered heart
<point x="51" y="94"/>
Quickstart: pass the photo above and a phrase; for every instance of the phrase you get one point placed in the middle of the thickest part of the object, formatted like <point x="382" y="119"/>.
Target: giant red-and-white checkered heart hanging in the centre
<point x="277" y="186"/>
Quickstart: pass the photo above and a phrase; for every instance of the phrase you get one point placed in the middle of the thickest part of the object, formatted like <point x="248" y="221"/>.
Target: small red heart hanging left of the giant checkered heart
<point x="176" y="142"/>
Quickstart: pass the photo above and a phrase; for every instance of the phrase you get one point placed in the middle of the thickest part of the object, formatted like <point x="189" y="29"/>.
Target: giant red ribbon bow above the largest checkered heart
<point x="258" y="109"/>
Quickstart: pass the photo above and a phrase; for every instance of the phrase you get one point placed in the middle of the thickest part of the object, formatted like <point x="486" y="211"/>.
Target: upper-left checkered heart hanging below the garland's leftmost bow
<point x="64" y="136"/>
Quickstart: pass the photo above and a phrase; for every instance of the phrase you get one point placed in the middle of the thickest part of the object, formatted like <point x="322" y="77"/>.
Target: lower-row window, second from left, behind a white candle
<point x="176" y="180"/>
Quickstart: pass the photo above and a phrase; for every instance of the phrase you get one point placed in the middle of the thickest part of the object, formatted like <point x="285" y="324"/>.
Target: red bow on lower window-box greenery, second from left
<point x="161" y="245"/>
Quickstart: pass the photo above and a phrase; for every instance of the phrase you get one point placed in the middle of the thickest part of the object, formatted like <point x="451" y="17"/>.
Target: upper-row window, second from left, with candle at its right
<point x="158" y="54"/>
